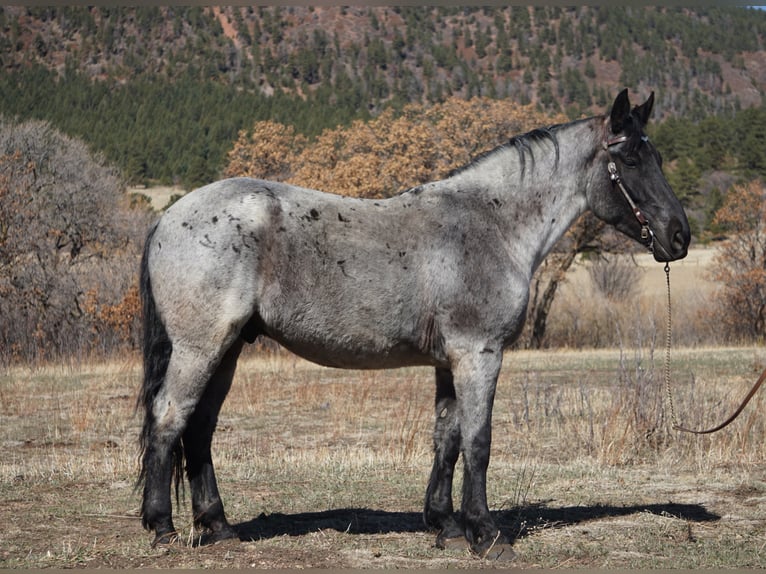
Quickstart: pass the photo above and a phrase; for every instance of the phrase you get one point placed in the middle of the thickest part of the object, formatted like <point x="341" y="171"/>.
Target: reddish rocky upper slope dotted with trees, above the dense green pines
<point x="699" y="61"/>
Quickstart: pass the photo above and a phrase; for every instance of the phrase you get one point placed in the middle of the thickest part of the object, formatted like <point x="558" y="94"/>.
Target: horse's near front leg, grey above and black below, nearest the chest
<point x="476" y="379"/>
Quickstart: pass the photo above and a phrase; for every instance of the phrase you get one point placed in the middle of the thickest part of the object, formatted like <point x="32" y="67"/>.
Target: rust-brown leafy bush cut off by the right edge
<point x="740" y="266"/>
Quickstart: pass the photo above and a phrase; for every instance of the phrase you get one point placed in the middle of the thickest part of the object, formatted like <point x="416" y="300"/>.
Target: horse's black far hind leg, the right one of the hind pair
<point x="197" y="438"/>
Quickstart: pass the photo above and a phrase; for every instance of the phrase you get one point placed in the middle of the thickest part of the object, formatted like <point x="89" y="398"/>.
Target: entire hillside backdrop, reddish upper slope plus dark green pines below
<point x="151" y="87"/>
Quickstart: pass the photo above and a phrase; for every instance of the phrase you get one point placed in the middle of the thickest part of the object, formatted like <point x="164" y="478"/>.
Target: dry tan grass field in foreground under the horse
<point x="327" y="468"/>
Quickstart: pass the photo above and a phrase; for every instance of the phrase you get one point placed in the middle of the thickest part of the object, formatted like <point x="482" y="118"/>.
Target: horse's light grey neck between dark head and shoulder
<point x="540" y="204"/>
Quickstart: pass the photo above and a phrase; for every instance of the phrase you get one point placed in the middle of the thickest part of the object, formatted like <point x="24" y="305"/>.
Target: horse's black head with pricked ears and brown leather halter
<point x="637" y="198"/>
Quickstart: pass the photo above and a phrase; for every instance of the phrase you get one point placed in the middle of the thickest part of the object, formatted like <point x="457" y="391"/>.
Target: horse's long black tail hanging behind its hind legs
<point x="157" y="349"/>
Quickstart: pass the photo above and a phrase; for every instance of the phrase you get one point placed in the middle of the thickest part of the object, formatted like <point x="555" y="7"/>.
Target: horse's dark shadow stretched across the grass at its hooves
<point x="515" y="522"/>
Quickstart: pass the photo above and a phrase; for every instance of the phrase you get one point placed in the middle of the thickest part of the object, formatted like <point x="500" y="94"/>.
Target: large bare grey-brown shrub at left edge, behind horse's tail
<point x="69" y="245"/>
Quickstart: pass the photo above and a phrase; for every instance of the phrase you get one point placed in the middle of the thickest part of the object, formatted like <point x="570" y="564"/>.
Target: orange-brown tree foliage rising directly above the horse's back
<point x="387" y="154"/>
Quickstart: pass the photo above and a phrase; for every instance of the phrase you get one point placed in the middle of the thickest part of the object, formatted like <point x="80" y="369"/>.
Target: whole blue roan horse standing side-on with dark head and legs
<point x="437" y="275"/>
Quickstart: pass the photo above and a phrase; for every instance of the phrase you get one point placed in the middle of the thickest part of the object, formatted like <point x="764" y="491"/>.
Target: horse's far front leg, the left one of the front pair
<point x="438" y="512"/>
